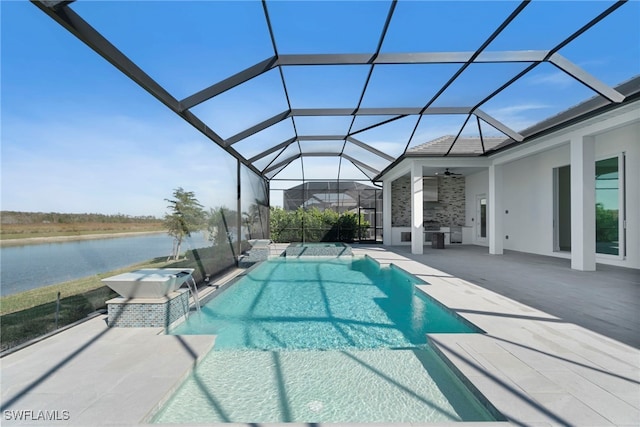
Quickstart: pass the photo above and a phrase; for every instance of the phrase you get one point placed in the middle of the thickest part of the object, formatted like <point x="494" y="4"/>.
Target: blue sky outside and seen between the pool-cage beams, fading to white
<point x="78" y="136"/>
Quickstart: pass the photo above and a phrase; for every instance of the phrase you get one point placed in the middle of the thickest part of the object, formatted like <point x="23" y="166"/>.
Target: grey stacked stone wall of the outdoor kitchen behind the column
<point x="450" y="209"/>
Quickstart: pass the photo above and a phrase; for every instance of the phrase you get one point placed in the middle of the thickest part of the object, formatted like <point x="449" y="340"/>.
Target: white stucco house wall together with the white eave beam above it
<point x="528" y="183"/>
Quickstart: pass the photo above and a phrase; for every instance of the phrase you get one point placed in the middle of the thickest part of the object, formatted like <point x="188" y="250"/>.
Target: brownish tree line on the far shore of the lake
<point x="14" y="217"/>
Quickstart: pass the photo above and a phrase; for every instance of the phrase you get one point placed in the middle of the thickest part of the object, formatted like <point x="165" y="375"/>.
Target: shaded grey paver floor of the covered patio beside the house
<point x="606" y="301"/>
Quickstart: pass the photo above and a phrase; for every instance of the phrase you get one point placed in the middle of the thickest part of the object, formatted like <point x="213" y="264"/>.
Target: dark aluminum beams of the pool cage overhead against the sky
<point x="62" y="13"/>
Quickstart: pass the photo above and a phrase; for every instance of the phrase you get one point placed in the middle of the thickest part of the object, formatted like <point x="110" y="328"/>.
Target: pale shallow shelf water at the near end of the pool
<point x="347" y="386"/>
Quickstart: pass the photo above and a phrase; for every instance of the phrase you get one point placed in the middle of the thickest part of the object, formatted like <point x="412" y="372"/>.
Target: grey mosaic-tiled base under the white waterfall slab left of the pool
<point x="152" y="313"/>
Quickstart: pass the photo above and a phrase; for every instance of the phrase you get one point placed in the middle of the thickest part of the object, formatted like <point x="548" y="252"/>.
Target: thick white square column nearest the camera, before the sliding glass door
<point x="583" y="202"/>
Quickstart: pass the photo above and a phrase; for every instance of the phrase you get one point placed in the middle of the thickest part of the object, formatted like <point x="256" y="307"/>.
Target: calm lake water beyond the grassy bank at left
<point x="33" y="266"/>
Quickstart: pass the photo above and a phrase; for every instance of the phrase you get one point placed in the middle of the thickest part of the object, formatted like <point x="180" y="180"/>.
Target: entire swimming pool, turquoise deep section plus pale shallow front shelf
<point x="333" y="340"/>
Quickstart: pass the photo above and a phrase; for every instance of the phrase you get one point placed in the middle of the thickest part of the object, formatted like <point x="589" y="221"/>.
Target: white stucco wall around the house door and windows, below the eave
<point x="529" y="198"/>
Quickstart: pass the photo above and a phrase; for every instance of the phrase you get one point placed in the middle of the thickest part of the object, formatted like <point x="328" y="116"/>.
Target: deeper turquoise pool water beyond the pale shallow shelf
<point x="329" y="304"/>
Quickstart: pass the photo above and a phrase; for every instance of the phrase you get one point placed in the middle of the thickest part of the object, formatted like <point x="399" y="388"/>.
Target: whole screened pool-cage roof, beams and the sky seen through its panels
<point x="341" y="90"/>
